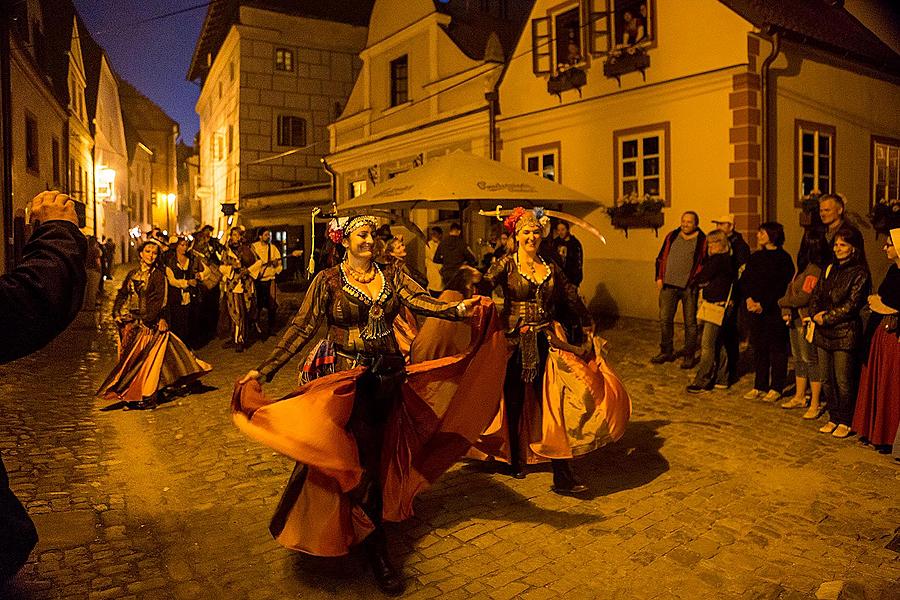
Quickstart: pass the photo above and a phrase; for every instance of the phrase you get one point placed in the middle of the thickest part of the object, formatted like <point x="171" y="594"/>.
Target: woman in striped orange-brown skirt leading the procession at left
<point x="150" y="356"/>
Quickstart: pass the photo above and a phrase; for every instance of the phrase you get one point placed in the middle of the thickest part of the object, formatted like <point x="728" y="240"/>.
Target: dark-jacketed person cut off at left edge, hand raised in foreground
<point x="38" y="300"/>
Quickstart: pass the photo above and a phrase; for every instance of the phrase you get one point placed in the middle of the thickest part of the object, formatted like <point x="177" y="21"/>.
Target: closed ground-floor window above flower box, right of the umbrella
<point x="642" y="162"/>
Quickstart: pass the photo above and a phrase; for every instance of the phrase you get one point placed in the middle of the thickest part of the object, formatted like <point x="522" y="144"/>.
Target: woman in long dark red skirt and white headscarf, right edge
<point x="877" y="413"/>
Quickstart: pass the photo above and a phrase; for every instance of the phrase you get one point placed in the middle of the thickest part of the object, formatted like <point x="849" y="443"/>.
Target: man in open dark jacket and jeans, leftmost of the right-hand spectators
<point x="677" y="266"/>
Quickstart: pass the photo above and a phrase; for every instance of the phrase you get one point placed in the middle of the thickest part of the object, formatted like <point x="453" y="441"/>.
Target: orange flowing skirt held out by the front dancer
<point x="445" y="405"/>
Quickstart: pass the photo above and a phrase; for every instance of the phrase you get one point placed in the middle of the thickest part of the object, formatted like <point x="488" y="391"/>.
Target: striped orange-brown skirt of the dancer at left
<point x="148" y="362"/>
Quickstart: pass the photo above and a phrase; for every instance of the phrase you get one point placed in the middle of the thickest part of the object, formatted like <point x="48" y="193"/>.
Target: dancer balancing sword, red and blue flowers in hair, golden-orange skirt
<point x="558" y="402"/>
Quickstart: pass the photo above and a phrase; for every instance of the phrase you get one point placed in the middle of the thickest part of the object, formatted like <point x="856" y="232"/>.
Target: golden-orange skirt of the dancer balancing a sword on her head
<point x="584" y="406"/>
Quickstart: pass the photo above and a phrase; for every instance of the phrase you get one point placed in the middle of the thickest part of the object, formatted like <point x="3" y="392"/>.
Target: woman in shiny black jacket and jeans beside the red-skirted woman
<point x="836" y="303"/>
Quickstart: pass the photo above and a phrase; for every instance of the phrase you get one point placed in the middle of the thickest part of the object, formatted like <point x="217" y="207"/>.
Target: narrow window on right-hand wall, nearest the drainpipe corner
<point x="815" y="158"/>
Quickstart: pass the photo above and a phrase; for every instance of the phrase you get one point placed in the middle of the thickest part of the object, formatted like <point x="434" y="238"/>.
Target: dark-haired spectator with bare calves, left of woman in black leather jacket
<point x="813" y="255"/>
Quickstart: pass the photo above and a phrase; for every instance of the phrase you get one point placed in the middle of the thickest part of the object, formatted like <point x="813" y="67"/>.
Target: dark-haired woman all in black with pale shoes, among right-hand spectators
<point x="768" y="272"/>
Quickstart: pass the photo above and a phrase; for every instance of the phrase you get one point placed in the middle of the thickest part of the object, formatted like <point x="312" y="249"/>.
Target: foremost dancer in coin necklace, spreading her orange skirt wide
<point x="368" y="434"/>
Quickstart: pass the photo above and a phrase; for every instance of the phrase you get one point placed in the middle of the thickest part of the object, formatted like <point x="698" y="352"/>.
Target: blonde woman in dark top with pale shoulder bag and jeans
<point x="716" y="282"/>
